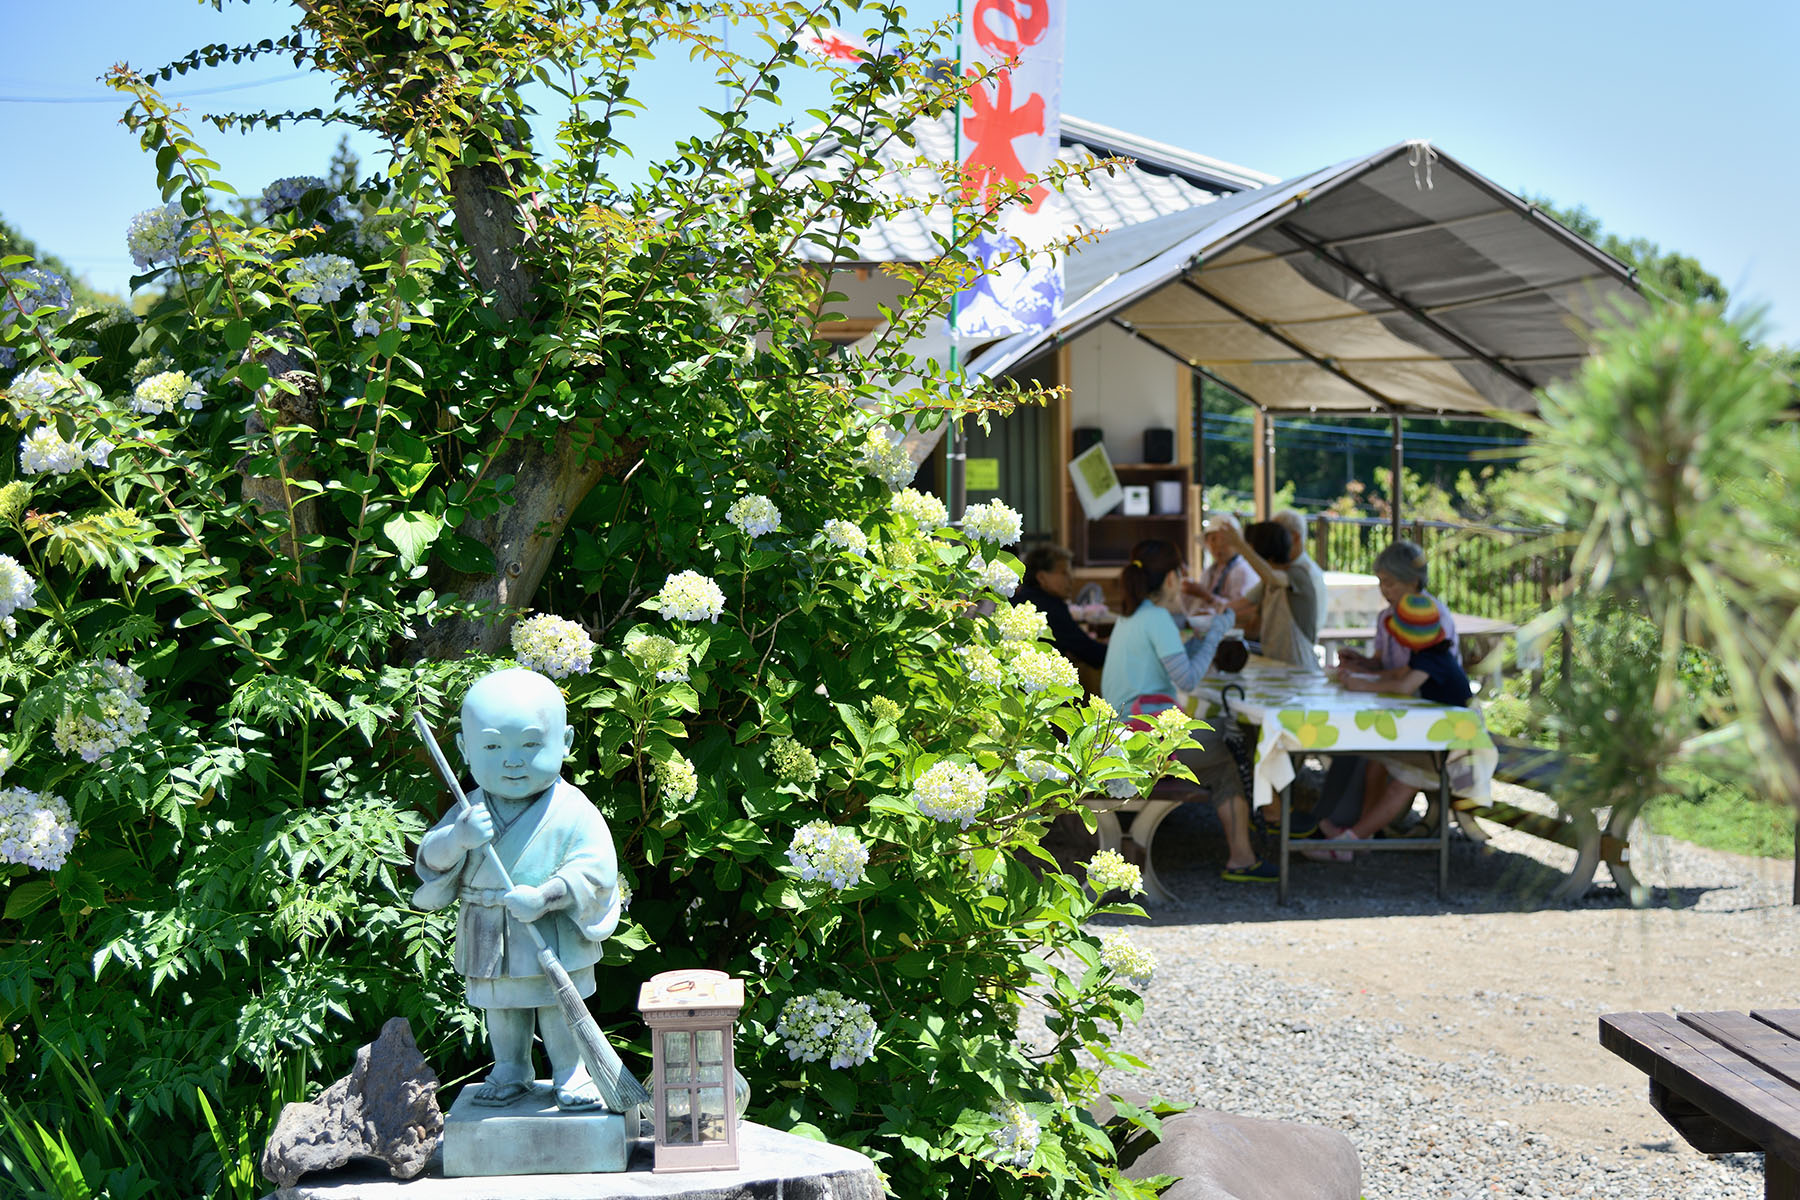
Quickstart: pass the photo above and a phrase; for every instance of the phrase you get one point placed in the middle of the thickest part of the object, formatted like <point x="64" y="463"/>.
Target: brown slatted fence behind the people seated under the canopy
<point x="1477" y="569"/>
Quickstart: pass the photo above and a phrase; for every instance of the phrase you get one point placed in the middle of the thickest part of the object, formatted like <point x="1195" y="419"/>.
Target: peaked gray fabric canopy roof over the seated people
<point x="1394" y="283"/>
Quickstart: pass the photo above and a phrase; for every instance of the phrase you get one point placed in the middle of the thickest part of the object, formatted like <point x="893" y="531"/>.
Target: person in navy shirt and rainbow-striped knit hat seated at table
<point x="1432" y="670"/>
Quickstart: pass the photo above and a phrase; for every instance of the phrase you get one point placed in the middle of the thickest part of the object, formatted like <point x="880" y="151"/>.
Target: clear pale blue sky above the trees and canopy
<point x="1669" y="121"/>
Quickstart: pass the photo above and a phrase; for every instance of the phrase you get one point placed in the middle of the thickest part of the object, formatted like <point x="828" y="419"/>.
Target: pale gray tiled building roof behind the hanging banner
<point x="1162" y="183"/>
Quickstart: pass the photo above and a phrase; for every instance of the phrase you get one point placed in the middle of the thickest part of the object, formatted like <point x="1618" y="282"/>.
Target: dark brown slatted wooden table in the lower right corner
<point x="1727" y="1082"/>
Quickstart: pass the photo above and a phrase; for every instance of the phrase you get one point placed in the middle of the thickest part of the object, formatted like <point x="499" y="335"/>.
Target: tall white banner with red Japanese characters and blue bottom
<point x="1011" y="130"/>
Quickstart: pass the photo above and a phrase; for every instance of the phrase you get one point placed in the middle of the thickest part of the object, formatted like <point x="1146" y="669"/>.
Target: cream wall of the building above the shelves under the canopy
<point x="1122" y="388"/>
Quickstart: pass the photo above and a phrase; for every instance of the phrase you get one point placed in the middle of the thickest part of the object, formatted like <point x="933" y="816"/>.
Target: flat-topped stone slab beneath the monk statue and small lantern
<point x="771" y="1167"/>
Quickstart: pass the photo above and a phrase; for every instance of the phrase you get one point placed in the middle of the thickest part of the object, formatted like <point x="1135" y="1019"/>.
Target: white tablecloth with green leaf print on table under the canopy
<point x="1299" y="712"/>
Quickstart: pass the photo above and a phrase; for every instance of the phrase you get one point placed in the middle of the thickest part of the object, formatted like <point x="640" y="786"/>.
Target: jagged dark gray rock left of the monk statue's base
<point x="386" y="1109"/>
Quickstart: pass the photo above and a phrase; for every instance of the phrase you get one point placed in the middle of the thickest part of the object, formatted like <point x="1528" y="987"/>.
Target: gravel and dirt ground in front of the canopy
<point x="1455" y="1041"/>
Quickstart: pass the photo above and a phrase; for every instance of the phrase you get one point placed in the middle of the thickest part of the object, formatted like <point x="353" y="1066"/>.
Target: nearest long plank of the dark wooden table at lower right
<point x="1736" y="1091"/>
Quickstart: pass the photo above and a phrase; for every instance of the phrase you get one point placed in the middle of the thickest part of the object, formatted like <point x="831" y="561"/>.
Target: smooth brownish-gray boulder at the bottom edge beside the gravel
<point x="1225" y="1158"/>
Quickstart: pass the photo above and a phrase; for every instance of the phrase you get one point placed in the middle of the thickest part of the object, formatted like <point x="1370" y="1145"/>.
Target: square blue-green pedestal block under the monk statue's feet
<point x="532" y="1136"/>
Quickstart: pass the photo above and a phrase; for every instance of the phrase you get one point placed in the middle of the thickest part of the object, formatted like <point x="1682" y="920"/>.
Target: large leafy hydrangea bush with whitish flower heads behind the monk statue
<point x="366" y="447"/>
